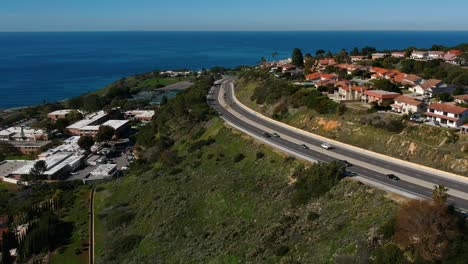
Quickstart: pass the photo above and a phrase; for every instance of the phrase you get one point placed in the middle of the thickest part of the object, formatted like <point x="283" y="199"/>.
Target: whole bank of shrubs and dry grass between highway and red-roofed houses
<point x="308" y="109"/>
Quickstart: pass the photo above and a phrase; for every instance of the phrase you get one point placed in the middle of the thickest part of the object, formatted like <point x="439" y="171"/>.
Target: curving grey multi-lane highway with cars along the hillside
<point x="413" y="182"/>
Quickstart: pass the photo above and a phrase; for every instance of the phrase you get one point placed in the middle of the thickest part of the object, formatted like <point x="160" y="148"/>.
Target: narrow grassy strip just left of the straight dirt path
<point x="78" y="215"/>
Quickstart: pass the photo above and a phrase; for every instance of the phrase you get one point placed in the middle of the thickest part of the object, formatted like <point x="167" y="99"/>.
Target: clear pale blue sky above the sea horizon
<point x="101" y="15"/>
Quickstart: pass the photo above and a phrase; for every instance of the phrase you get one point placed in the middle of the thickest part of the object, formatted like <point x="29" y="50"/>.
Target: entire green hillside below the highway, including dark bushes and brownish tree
<point x="204" y="193"/>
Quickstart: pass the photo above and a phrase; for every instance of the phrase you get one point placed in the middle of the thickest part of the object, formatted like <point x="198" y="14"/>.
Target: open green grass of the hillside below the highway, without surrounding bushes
<point x="214" y="210"/>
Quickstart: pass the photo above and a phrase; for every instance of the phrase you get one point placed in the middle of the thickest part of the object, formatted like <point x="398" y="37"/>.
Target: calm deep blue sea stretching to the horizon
<point x="38" y="67"/>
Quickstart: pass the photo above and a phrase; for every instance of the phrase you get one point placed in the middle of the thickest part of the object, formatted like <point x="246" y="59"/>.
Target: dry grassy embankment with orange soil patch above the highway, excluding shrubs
<point x="421" y="144"/>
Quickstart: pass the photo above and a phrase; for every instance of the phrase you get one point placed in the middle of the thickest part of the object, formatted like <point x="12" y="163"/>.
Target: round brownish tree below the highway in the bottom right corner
<point x="426" y="228"/>
